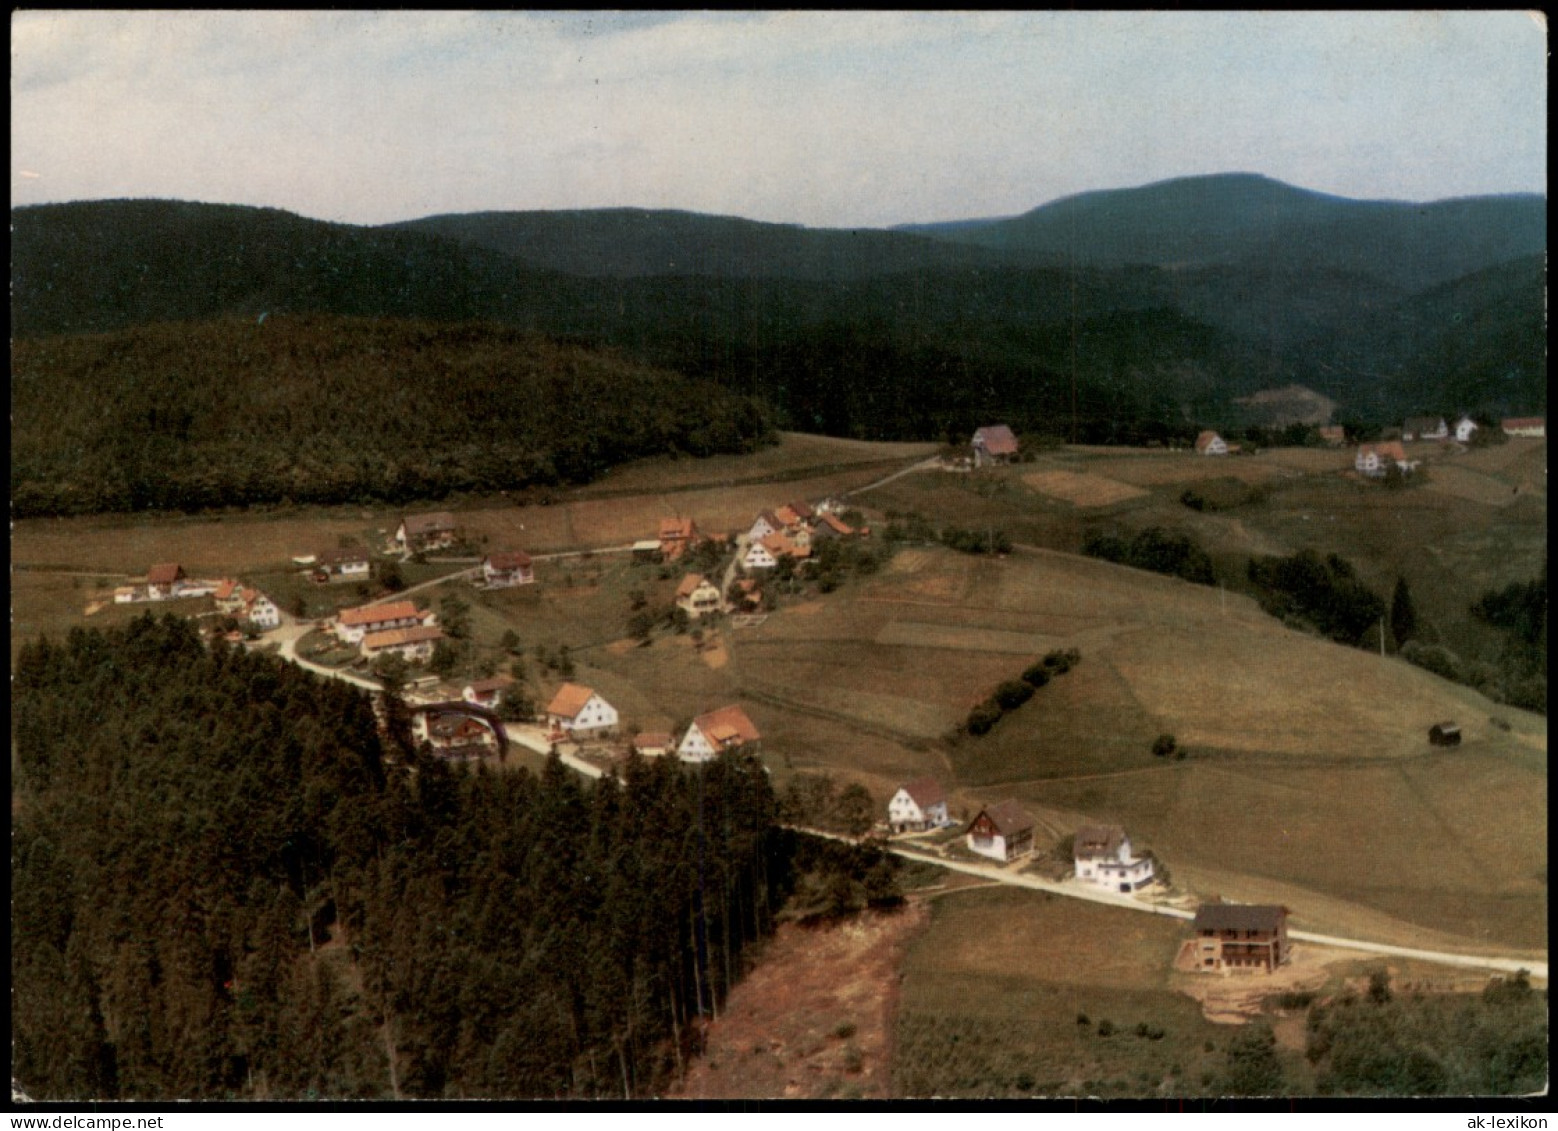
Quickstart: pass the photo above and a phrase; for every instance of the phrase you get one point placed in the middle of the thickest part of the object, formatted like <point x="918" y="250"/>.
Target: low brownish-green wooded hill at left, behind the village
<point x="334" y="410"/>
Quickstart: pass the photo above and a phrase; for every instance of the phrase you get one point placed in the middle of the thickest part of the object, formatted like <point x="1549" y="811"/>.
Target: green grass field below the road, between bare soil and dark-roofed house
<point x="996" y="987"/>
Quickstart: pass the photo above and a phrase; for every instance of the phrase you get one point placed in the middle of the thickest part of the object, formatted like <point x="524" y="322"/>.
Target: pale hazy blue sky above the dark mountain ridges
<point x="827" y="119"/>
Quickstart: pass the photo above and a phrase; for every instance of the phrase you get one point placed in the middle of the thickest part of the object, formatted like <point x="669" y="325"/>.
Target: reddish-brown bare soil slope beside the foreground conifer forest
<point x="814" y="1020"/>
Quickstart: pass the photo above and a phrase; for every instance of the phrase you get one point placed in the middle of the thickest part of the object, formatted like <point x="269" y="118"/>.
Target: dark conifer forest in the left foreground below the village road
<point x="228" y="886"/>
